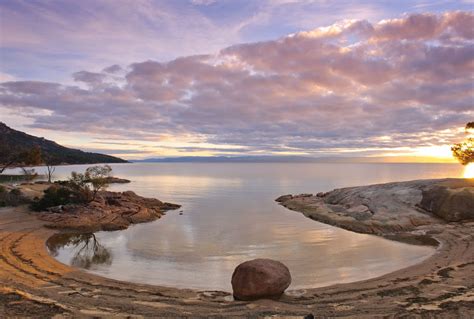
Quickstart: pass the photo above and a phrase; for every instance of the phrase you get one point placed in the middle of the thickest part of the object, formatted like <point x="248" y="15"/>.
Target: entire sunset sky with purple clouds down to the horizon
<point x="143" y="78"/>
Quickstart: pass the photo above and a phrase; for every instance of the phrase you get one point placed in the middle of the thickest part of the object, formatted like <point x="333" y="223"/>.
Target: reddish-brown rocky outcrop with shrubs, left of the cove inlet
<point x="109" y="211"/>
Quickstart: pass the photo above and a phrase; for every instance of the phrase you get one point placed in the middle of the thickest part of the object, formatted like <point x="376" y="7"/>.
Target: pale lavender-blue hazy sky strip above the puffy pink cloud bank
<point x="44" y="39"/>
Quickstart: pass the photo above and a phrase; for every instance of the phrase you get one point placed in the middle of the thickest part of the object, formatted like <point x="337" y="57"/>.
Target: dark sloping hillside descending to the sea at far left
<point x="14" y="141"/>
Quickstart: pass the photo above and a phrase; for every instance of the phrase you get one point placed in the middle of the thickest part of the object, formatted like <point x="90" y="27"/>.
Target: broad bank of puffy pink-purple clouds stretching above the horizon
<point x="353" y="85"/>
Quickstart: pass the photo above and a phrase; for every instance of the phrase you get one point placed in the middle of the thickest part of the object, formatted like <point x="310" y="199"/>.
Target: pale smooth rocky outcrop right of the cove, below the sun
<point x="391" y="208"/>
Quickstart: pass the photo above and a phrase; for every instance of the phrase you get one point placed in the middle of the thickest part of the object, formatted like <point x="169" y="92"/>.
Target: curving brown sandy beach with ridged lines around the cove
<point x="32" y="283"/>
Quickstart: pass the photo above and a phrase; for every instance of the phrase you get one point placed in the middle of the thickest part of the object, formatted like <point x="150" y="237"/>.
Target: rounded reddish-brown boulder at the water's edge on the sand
<point x="260" y="278"/>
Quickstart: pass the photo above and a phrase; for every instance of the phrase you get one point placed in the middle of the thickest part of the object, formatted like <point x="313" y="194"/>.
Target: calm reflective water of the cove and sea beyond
<point x="229" y="216"/>
